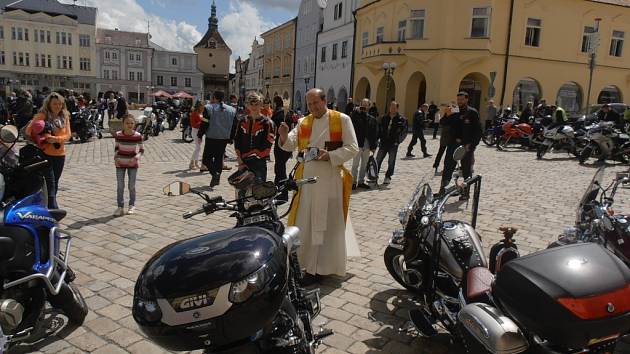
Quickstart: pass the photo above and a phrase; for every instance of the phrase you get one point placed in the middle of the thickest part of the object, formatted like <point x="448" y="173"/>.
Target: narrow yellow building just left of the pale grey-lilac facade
<point x="279" y="54"/>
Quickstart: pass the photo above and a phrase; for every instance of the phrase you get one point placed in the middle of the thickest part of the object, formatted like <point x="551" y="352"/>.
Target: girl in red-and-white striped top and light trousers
<point x="128" y="149"/>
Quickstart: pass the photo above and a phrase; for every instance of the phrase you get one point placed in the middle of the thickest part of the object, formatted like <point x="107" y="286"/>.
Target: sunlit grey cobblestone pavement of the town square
<point x="365" y="309"/>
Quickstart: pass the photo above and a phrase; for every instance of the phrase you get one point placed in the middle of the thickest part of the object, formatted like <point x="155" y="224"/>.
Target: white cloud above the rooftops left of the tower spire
<point x="128" y="15"/>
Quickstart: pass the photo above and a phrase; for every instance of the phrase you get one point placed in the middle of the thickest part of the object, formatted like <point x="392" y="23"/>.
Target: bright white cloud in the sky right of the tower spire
<point x="239" y="26"/>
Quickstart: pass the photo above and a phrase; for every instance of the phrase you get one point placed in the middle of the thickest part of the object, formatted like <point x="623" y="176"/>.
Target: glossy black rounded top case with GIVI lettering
<point x="212" y="291"/>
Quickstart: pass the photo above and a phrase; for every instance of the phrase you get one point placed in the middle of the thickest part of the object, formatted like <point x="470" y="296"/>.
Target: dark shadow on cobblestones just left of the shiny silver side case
<point x="389" y="309"/>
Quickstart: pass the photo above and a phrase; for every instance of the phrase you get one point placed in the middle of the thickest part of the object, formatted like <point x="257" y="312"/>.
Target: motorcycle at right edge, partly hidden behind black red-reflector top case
<point x="596" y="220"/>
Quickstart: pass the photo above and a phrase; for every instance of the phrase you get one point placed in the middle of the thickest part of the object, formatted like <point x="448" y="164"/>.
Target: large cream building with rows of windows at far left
<point x="47" y="43"/>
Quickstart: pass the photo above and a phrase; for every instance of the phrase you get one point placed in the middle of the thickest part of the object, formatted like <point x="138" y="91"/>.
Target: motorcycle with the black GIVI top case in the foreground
<point x="235" y="290"/>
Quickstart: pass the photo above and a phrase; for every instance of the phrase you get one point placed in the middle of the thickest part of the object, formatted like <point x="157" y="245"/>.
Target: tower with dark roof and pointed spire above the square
<point x="213" y="57"/>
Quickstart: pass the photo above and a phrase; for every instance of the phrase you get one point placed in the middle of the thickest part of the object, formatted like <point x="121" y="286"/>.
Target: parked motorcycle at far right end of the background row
<point x="604" y="141"/>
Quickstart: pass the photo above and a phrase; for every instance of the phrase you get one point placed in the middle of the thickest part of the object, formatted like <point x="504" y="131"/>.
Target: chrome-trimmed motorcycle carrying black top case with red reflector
<point x="537" y="302"/>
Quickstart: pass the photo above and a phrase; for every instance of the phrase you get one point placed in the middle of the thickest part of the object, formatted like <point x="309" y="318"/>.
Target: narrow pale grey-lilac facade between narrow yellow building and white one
<point x="309" y="22"/>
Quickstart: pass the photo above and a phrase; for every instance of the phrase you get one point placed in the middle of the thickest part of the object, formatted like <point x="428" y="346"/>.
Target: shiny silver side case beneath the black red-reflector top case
<point x="492" y="329"/>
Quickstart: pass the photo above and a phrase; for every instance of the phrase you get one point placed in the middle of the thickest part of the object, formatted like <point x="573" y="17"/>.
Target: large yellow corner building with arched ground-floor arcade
<point x="442" y="47"/>
